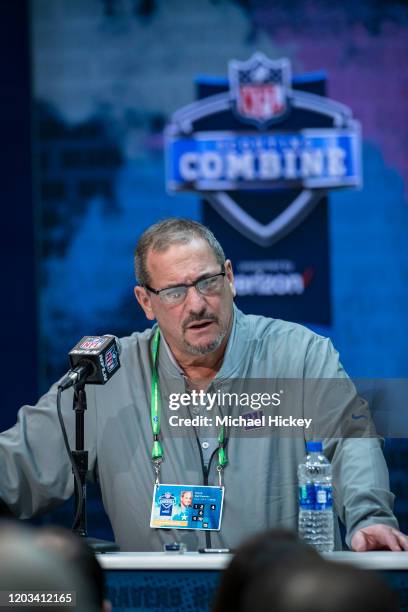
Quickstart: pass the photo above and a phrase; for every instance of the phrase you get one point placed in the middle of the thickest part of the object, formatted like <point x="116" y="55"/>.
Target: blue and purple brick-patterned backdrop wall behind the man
<point x="107" y="78"/>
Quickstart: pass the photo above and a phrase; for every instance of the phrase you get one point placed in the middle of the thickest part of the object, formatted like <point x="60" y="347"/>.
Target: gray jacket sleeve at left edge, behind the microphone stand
<point x="35" y="472"/>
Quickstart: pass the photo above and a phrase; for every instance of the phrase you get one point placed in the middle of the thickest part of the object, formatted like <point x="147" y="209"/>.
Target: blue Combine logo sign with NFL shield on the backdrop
<point x="300" y="143"/>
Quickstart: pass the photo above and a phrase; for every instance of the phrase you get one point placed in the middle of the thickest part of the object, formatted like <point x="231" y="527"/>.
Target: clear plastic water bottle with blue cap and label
<point x="315" y="499"/>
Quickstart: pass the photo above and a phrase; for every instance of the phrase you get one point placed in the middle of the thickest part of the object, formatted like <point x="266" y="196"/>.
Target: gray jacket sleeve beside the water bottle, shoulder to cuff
<point x="343" y="421"/>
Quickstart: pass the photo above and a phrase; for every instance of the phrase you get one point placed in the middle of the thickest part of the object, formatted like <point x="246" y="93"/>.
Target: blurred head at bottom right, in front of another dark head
<point x="327" y="587"/>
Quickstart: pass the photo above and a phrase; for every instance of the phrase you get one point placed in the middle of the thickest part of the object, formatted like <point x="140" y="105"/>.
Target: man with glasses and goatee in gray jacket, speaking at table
<point x="201" y="343"/>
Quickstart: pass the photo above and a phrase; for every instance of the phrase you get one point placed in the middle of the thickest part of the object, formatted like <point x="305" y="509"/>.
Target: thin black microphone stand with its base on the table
<point x="80" y="457"/>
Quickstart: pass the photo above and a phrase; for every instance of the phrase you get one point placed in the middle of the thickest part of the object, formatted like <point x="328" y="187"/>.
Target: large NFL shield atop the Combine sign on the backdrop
<point x="260" y="89"/>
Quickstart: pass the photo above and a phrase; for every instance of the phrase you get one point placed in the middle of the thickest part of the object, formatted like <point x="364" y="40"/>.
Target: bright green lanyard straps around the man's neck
<point x="155" y="413"/>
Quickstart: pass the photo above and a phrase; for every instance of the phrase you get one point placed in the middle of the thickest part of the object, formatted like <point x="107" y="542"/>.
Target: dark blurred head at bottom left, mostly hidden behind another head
<point x="74" y="551"/>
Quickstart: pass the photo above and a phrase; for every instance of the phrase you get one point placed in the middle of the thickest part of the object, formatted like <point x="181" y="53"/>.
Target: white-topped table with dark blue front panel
<point x="136" y="580"/>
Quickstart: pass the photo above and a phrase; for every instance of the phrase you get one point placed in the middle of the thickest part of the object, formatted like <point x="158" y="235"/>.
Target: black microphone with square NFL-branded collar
<point x="94" y="360"/>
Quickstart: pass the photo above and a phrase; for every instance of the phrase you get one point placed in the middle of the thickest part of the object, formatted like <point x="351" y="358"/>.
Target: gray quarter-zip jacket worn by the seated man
<point x="261" y="477"/>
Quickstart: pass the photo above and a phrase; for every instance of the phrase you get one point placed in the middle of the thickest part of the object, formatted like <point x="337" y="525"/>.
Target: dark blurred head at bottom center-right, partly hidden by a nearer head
<point x="267" y="550"/>
